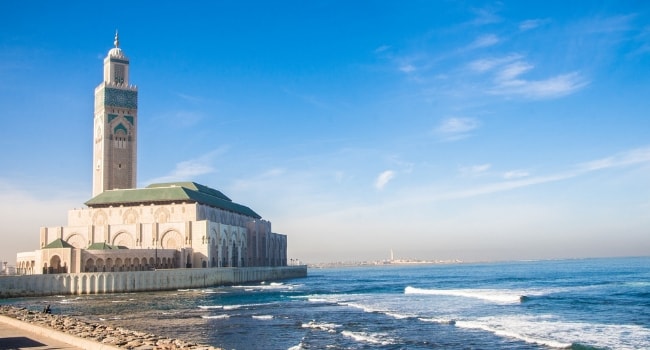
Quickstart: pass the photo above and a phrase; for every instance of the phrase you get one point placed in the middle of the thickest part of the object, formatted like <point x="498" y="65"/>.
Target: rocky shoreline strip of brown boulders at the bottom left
<point x="90" y="335"/>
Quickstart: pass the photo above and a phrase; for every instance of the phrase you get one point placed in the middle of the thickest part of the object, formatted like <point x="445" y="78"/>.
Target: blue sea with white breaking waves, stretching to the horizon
<point x="572" y="304"/>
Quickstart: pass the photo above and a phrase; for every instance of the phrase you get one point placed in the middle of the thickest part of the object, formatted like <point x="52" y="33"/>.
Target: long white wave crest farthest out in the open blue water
<point x="492" y="295"/>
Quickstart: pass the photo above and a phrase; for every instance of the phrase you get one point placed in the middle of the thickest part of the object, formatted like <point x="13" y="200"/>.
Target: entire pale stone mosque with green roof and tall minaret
<point x="177" y="225"/>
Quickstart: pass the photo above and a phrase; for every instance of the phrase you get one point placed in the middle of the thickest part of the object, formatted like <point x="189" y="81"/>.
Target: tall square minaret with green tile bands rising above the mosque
<point x="116" y="126"/>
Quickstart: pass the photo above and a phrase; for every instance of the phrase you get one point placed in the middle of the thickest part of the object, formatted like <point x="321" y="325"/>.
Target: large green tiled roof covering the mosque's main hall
<point x="177" y="192"/>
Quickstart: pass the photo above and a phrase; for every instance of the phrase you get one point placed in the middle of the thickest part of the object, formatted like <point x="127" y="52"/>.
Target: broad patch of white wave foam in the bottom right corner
<point x="556" y="333"/>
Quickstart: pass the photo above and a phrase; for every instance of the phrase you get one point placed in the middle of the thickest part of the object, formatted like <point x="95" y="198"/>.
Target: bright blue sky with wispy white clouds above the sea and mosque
<point x="482" y="130"/>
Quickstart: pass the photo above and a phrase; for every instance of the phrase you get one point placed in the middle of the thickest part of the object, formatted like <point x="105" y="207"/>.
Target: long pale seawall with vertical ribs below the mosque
<point x="140" y="281"/>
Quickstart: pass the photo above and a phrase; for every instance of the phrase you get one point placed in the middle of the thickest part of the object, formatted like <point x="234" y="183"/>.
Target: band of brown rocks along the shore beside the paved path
<point x="103" y="334"/>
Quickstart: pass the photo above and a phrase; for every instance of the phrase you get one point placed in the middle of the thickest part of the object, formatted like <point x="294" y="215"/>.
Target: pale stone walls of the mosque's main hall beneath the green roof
<point x="205" y="236"/>
